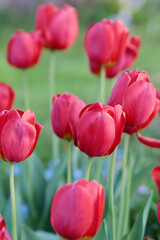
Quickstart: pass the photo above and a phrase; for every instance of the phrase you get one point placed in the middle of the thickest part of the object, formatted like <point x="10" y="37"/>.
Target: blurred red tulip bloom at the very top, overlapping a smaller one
<point x="59" y="26"/>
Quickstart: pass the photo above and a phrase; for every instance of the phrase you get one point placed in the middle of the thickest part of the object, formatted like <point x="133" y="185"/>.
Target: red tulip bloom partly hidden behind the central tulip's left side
<point x="65" y="115"/>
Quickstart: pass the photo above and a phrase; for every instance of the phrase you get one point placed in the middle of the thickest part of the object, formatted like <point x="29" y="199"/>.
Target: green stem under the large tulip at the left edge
<point x="13" y="203"/>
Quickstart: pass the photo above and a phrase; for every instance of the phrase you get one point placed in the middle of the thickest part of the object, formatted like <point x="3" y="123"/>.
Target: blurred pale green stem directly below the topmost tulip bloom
<point x="51" y="80"/>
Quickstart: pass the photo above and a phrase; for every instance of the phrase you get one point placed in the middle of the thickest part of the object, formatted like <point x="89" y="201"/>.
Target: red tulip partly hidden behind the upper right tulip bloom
<point x="127" y="59"/>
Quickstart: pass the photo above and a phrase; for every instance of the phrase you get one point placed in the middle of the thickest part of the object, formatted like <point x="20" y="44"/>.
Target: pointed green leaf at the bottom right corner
<point x="138" y="229"/>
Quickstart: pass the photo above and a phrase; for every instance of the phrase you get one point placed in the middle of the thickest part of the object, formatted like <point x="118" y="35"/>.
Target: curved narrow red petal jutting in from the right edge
<point x="150" y="142"/>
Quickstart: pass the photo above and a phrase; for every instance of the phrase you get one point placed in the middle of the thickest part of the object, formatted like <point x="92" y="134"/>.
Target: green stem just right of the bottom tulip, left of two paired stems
<point x="111" y="195"/>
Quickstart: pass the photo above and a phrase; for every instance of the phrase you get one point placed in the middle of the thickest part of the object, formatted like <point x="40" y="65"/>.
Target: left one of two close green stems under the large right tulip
<point x="122" y="198"/>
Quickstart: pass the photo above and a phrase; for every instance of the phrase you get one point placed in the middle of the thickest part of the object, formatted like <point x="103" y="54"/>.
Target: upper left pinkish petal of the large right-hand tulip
<point x="119" y="90"/>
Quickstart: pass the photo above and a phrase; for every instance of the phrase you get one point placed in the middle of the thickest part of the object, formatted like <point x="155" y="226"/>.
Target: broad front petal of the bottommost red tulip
<point x="71" y="211"/>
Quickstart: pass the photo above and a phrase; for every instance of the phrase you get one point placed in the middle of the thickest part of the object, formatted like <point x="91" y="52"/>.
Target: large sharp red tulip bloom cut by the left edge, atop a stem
<point x="18" y="135"/>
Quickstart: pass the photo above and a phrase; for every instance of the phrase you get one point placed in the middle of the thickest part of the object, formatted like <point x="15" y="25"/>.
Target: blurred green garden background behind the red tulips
<point x="72" y="75"/>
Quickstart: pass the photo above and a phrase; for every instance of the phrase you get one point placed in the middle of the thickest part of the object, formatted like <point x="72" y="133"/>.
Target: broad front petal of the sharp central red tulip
<point x="95" y="132"/>
